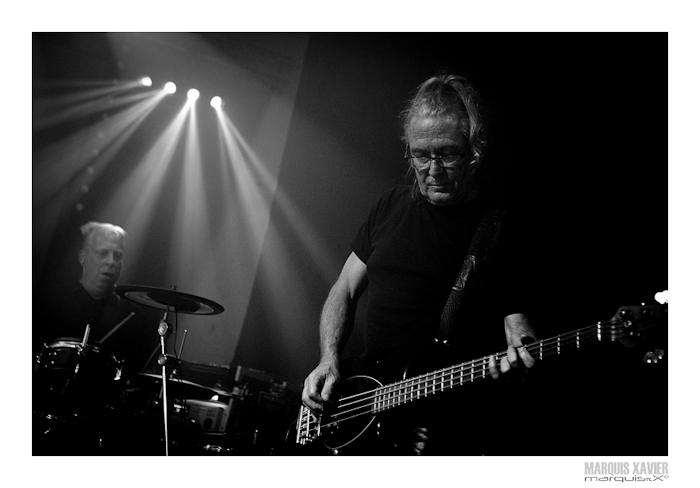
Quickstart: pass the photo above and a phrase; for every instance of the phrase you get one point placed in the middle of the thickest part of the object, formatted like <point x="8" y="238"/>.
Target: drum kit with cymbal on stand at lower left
<point x="78" y="385"/>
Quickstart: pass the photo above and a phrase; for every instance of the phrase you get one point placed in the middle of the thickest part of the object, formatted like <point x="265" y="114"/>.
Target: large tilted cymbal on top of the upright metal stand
<point x="167" y="299"/>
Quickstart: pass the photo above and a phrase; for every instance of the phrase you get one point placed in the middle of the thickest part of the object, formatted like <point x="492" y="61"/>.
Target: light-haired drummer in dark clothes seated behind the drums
<point x="64" y="310"/>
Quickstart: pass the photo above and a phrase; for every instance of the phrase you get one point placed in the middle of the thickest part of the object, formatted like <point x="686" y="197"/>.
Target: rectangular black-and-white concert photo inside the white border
<point x="353" y="246"/>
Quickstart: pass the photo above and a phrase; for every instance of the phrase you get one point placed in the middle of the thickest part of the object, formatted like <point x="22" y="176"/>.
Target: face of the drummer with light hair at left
<point x="102" y="263"/>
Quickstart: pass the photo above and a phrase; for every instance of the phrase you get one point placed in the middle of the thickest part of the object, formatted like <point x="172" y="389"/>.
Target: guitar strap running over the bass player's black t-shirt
<point x="480" y="250"/>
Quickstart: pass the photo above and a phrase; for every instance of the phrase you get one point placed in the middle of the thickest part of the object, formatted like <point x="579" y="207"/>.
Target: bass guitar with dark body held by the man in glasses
<point x="362" y="398"/>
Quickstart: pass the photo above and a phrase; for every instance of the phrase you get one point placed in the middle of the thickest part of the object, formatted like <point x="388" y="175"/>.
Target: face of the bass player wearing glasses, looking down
<point x="440" y="137"/>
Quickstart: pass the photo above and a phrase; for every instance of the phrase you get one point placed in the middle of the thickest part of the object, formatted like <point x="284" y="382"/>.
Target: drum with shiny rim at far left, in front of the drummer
<point x="78" y="378"/>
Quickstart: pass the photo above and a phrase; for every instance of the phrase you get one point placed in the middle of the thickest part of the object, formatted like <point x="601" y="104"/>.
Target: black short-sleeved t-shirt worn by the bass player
<point x="413" y="251"/>
